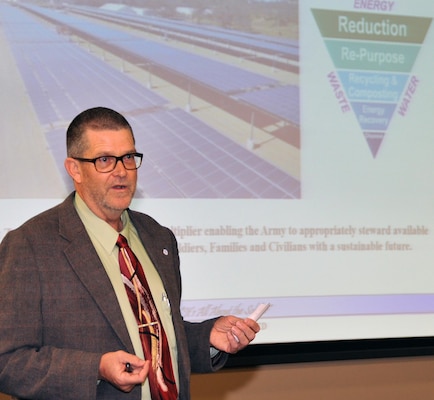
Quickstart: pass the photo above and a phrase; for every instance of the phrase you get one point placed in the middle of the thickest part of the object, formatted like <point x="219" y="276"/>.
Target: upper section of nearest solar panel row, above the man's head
<point x="64" y="79"/>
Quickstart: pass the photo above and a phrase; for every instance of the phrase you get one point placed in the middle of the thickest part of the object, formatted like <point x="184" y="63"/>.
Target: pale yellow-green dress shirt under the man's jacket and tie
<point x="104" y="238"/>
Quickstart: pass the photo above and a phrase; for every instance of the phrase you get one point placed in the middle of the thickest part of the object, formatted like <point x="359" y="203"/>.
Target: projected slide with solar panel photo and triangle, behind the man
<point x="291" y="155"/>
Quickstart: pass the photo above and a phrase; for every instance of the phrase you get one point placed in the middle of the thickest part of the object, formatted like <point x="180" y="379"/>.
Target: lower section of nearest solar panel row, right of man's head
<point x="198" y="162"/>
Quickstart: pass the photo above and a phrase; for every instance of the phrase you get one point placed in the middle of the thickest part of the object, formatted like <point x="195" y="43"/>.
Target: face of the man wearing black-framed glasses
<point x="107" y="194"/>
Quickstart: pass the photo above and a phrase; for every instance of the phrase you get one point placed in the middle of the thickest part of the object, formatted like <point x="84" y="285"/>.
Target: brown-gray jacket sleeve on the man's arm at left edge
<point x="28" y="367"/>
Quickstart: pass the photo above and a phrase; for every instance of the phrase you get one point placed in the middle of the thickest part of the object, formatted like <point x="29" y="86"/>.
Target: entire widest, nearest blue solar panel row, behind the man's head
<point x="184" y="157"/>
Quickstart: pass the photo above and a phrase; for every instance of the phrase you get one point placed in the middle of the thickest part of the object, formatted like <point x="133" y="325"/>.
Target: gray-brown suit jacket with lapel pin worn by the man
<point x="59" y="312"/>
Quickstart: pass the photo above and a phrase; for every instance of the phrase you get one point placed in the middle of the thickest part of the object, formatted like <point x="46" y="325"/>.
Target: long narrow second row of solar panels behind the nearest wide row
<point x="260" y="93"/>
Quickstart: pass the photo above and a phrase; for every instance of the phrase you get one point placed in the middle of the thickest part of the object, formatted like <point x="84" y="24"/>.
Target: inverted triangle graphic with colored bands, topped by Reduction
<point x="374" y="55"/>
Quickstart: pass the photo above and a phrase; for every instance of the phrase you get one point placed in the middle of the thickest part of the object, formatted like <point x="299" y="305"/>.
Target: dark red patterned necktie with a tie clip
<point x="154" y="341"/>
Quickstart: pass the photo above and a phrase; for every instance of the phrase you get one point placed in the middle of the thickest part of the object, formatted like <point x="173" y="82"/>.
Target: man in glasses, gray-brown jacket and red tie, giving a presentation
<point x="67" y="329"/>
